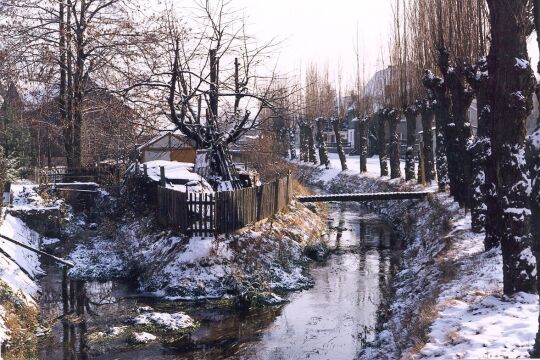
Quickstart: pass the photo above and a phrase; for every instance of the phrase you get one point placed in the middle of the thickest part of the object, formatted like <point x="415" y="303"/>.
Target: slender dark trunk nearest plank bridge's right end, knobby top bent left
<point x="442" y="117"/>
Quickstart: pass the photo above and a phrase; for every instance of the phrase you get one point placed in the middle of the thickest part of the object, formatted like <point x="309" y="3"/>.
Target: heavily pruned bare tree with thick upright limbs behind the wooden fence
<point x="208" y="82"/>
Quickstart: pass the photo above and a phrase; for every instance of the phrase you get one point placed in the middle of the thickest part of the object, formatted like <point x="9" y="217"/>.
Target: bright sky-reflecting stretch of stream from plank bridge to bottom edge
<point x="335" y="318"/>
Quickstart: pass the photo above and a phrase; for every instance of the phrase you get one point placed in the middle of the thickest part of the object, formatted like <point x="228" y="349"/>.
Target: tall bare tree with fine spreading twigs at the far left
<point x="69" y="48"/>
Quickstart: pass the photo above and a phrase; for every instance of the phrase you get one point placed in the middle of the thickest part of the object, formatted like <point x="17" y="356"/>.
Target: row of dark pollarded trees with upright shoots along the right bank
<point x="446" y="54"/>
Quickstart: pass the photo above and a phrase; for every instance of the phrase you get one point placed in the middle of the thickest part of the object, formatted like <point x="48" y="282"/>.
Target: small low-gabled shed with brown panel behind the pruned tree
<point x="169" y="147"/>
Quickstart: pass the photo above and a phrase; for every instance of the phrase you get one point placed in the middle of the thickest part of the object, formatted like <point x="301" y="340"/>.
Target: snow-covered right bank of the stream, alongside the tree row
<point x="448" y="300"/>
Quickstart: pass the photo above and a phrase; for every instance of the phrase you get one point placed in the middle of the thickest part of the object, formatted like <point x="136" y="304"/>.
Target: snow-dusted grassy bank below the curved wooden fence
<point x="248" y="265"/>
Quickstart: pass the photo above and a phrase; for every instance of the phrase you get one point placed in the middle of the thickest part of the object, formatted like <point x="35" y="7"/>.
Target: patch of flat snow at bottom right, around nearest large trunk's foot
<point x="475" y="321"/>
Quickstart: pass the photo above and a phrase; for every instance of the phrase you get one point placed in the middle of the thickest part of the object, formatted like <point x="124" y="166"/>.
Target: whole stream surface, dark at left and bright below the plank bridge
<point x="332" y="320"/>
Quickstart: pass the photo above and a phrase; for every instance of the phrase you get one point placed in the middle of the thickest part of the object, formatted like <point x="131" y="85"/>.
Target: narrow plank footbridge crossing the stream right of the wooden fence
<point x="416" y="195"/>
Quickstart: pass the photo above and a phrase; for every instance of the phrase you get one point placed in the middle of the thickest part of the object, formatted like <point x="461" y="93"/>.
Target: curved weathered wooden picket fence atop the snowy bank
<point x="222" y="212"/>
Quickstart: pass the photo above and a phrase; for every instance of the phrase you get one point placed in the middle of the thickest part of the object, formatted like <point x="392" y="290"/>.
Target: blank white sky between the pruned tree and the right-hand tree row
<point x="323" y="32"/>
